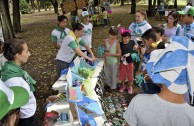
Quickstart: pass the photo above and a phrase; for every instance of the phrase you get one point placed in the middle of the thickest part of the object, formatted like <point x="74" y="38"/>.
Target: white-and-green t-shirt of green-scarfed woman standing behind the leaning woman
<point x="56" y="33"/>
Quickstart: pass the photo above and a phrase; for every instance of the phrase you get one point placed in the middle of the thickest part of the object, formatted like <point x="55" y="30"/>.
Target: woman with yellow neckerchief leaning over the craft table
<point x="70" y="47"/>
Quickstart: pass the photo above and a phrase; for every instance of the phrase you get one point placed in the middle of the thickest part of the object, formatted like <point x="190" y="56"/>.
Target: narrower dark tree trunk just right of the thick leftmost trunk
<point x="16" y="16"/>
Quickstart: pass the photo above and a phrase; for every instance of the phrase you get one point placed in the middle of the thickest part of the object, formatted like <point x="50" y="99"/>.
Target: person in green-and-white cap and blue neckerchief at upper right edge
<point x="187" y="18"/>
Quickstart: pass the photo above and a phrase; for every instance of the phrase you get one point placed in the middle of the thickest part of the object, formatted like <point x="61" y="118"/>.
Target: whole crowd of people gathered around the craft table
<point x="166" y="56"/>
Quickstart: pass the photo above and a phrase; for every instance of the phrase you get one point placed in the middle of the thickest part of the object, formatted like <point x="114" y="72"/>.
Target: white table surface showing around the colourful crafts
<point x="60" y="86"/>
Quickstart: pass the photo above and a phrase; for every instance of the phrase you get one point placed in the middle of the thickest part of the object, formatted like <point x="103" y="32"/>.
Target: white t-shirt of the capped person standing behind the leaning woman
<point x="87" y="36"/>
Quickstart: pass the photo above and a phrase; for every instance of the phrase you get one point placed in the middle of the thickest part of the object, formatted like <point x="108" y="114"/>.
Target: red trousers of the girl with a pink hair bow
<point x="126" y="71"/>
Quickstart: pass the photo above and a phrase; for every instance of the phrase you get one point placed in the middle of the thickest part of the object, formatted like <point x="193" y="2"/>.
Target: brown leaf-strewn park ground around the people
<point x="36" y="31"/>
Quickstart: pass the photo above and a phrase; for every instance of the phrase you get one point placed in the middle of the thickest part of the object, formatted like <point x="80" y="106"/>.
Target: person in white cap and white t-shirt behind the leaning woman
<point x="87" y="35"/>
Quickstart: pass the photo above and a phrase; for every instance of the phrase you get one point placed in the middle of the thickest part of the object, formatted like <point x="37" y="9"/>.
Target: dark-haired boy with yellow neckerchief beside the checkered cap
<point x="149" y="38"/>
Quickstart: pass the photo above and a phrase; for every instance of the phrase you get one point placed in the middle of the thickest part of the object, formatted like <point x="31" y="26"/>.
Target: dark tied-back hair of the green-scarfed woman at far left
<point x="12" y="47"/>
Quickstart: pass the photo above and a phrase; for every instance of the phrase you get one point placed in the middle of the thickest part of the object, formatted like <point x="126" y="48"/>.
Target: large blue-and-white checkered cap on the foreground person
<point x="173" y="66"/>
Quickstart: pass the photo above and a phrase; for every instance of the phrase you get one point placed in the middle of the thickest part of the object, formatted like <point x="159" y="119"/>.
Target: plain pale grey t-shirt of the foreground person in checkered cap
<point x="151" y="110"/>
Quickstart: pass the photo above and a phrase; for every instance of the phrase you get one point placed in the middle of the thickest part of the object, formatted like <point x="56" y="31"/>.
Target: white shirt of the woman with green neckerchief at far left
<point x="28" y="109"/>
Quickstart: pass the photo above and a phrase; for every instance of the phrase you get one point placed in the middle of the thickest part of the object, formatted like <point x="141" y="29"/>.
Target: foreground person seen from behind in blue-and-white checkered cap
<point x="172" y="69"/>
